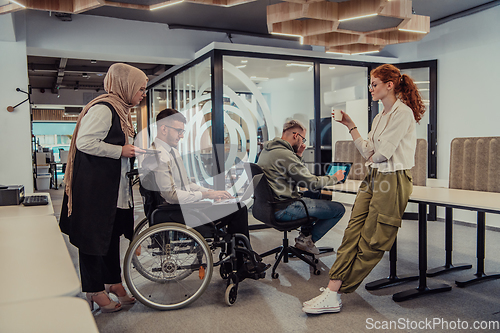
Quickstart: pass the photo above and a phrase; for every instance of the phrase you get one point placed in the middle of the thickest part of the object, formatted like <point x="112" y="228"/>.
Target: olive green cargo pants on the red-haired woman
<point x="375" y="221"/>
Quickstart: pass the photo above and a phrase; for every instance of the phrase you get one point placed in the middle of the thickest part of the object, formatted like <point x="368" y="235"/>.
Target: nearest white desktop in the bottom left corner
<point x="53" y="315"/>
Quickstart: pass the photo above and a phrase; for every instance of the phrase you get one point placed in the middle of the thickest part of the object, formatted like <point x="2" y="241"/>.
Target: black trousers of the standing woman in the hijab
<point x="95" y="271"/>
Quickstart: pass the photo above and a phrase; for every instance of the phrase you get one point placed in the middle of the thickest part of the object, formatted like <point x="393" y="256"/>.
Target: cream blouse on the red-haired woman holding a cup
<point x="394" y="136"/>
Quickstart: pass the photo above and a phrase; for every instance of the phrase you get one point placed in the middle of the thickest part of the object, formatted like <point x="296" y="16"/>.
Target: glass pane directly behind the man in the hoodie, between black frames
<point x="259" y="96"/>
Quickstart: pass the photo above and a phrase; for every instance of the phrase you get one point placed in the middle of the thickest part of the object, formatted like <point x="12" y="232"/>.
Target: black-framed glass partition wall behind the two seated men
<point x="234" y="101"/>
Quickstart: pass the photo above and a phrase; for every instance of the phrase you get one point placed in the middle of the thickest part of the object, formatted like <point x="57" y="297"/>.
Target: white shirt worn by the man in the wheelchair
<point x="168" y="175"/>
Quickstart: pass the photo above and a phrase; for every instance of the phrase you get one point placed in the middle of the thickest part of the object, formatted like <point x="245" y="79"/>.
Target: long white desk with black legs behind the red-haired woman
<point x="481" y="202"/>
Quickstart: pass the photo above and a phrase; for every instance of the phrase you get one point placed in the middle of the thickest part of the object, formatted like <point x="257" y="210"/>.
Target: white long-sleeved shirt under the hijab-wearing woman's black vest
<point x="94" y="128"/>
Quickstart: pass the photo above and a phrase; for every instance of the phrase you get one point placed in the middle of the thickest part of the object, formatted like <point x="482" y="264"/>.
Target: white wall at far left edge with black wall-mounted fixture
<point x="15" y="131"/>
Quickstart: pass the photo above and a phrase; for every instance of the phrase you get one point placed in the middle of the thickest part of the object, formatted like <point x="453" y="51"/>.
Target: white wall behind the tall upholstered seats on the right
<point x="468" y="51"/>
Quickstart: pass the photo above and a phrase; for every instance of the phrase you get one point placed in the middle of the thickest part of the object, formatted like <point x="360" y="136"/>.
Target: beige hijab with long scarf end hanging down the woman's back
<point x="122" y="82"/>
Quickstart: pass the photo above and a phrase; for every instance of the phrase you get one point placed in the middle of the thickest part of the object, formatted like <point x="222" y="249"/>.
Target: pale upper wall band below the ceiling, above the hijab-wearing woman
<point x="101" y="38"/>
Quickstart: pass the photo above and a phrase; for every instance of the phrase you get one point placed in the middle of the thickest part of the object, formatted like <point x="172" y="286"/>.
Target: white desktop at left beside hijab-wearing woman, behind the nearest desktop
<point x="35" y="260"/>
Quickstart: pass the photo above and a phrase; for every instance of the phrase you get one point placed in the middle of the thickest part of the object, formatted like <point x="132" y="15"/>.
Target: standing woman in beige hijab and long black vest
<point x="97" y="205"/>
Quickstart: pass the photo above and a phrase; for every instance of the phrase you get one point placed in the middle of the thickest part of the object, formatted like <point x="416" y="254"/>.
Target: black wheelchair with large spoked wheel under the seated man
<point x="168" y="266"/>
